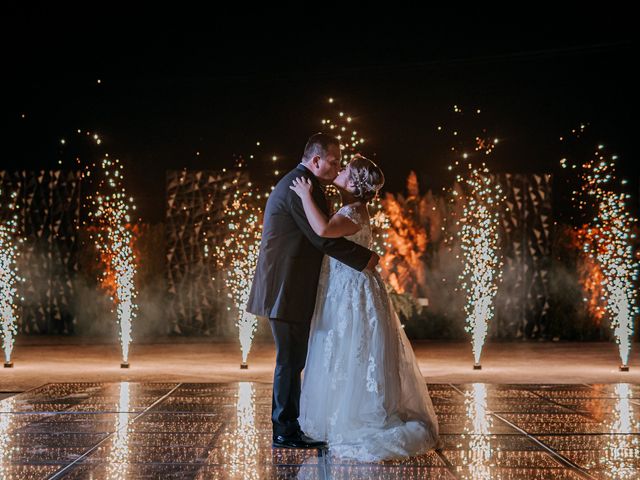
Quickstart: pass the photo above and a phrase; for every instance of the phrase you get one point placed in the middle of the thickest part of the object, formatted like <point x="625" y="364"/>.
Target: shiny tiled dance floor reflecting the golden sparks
<point x="223" y="431"/>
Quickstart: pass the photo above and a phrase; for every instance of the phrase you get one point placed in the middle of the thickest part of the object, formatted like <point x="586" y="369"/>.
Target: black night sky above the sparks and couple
<point x="176" y="85"/>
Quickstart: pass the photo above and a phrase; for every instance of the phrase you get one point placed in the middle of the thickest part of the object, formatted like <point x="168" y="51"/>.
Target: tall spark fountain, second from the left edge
<point x="115" y="243"/>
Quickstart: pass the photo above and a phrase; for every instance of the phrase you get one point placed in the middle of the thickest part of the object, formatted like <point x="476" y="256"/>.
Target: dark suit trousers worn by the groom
<point x="291" y="340"/>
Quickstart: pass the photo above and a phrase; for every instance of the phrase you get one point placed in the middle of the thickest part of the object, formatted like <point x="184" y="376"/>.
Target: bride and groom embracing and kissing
<point x="362" y="393"/>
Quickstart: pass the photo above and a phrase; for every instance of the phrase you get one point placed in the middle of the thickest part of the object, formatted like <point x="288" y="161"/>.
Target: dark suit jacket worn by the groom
<point x="286" y="278"/>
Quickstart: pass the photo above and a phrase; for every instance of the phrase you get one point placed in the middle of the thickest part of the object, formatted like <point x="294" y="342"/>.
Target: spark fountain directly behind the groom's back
<point x="239" y="255"/>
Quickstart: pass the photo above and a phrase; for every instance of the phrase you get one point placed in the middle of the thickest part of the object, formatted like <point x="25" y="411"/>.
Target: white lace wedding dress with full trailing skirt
<point x="362" y="390"/>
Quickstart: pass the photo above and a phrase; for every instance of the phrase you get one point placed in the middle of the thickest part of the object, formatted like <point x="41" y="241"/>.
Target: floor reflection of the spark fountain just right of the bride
<point x="478" y="429"/>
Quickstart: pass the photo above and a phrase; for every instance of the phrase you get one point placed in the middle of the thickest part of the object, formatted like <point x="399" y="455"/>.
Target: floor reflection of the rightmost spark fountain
<point x="622" y="453"/>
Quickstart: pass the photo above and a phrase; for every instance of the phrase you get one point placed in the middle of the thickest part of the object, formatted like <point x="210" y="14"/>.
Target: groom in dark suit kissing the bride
<point x="286" y="279"/>
